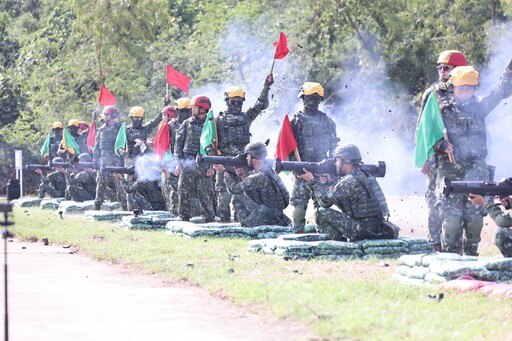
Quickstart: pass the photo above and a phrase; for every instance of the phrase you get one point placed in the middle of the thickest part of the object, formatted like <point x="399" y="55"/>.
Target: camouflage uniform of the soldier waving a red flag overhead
<point x="233" y="133"/>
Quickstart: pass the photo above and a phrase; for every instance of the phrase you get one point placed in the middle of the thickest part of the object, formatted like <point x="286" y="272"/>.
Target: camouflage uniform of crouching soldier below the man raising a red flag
<point x="260" y="198"/>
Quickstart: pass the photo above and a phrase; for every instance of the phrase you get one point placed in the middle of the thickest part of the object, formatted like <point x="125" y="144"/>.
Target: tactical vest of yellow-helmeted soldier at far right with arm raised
<point x="467" y="132"/>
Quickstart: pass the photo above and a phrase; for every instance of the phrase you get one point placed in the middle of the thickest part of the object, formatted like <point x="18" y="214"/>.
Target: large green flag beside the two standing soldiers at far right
<point x="430" y="130"/>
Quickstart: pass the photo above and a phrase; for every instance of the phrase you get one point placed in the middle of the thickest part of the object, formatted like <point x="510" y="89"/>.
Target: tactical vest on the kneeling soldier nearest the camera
<point x="375" y="204"/>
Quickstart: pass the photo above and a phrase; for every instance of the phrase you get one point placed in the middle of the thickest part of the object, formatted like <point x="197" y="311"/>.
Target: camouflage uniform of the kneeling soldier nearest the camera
<point x="361" y="215"/>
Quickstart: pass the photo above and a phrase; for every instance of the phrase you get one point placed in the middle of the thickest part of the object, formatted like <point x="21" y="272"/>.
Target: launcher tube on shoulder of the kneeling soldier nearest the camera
<point x="327" y="166"/>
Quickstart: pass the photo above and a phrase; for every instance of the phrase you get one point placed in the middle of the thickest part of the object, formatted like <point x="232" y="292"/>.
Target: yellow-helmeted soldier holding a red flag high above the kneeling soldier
<point x="233" y="134"/>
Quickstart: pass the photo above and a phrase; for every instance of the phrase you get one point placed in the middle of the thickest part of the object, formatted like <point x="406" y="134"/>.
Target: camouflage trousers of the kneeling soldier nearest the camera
<point x="340" y="226"/>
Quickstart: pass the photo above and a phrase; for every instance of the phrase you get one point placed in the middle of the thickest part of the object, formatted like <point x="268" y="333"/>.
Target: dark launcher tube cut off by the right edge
<point x="501" y="188"/>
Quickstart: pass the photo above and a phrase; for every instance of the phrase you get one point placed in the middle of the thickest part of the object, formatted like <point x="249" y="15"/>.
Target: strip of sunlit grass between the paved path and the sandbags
<point x="339" y="300"/>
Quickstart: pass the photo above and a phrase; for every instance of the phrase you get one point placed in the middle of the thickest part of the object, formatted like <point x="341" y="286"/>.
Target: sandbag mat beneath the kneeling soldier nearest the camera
<point x="307" y="246"/>
